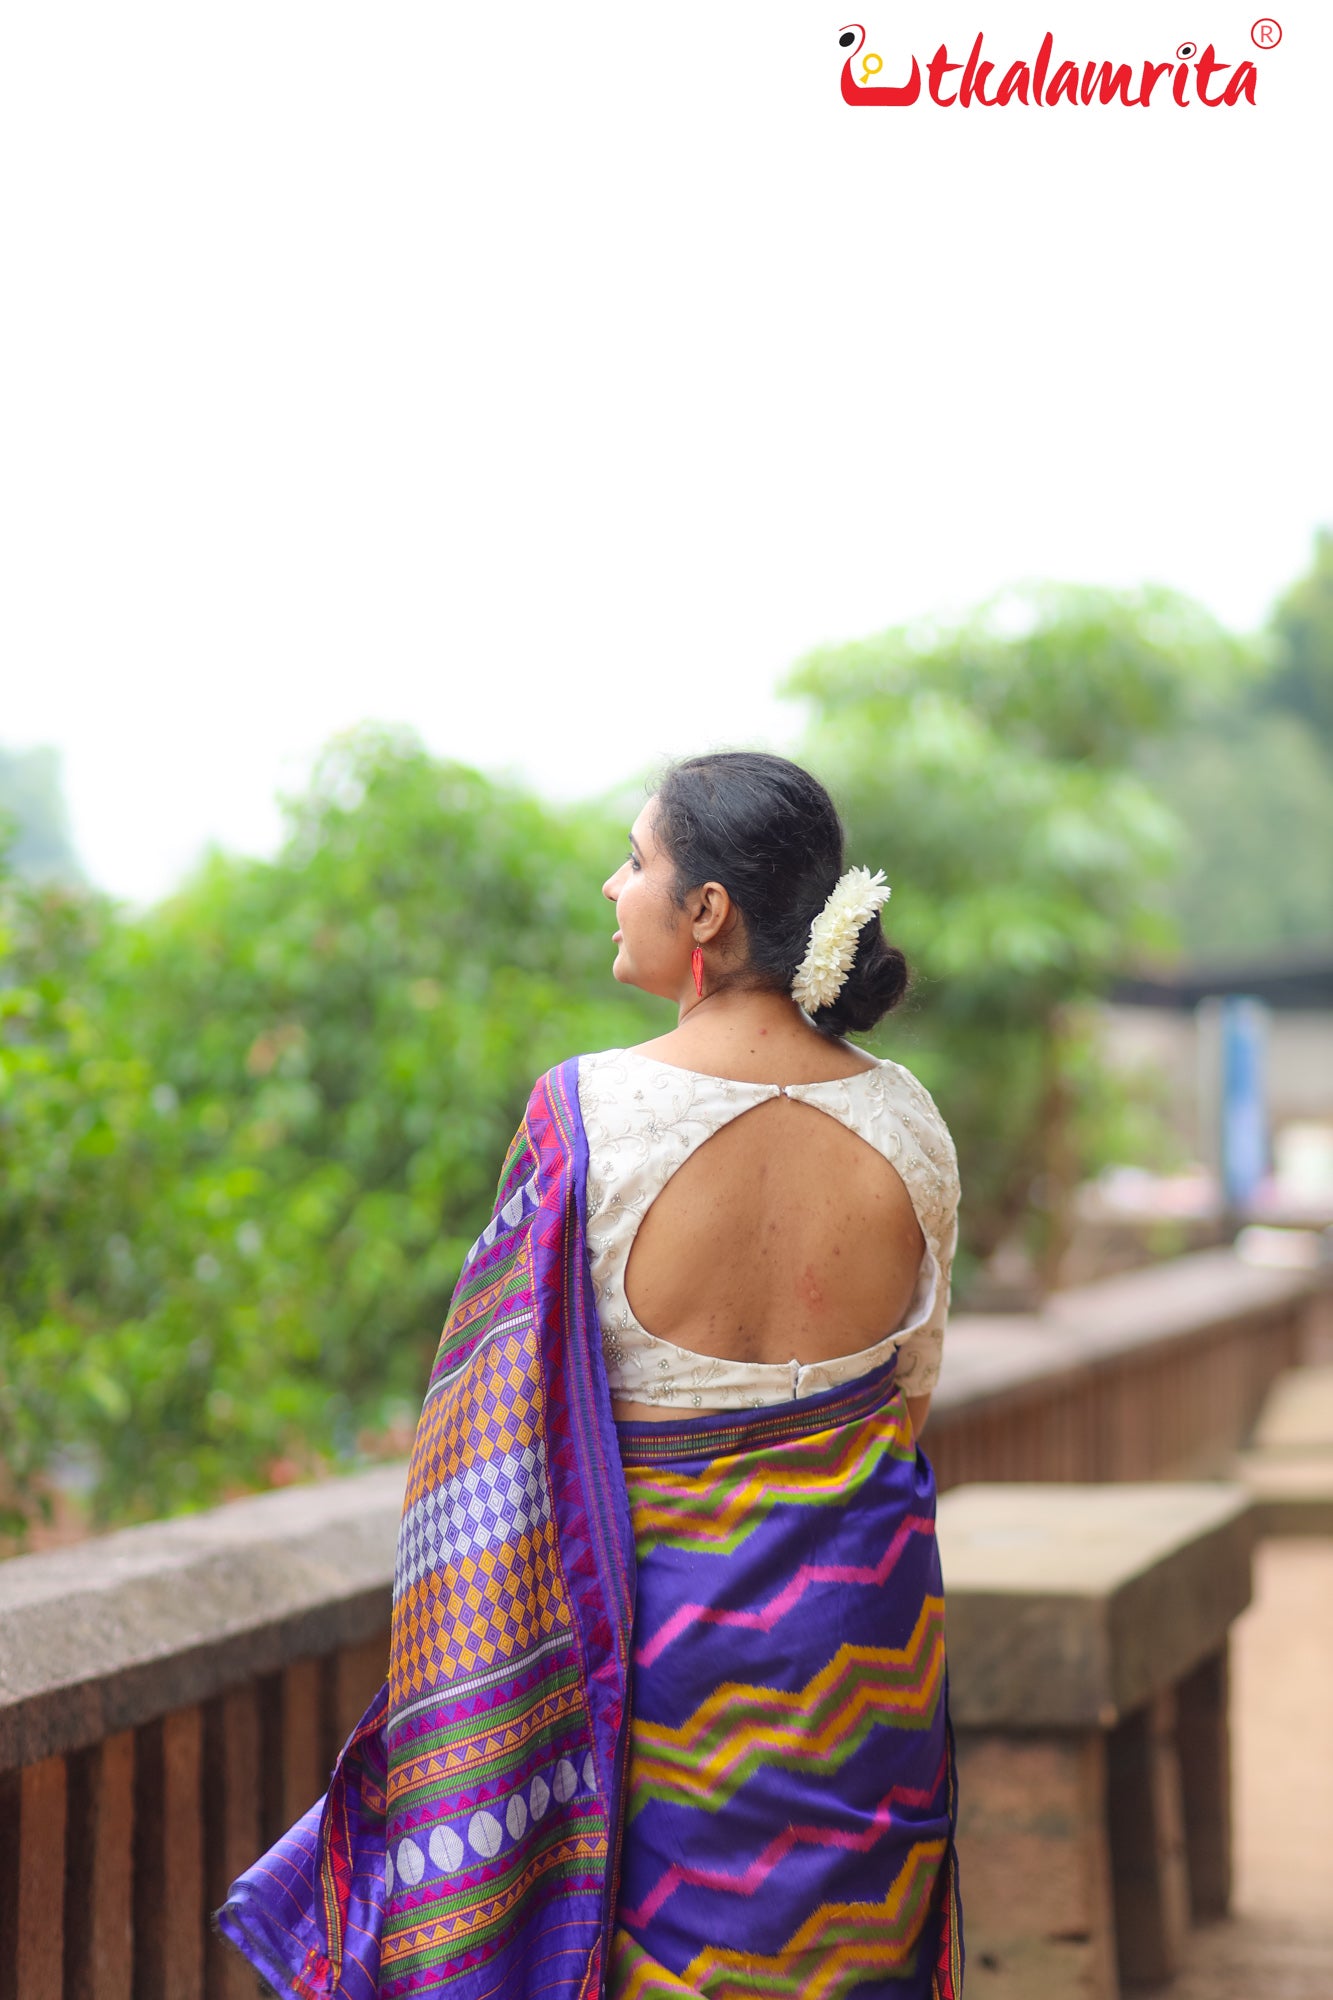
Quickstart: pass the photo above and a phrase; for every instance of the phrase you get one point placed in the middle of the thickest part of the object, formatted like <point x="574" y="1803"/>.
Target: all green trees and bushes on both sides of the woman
<point x="247" y="1137"/>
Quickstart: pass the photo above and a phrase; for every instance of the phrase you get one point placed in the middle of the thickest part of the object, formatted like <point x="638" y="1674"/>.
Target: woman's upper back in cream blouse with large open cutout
<point x="756" y="1227"/>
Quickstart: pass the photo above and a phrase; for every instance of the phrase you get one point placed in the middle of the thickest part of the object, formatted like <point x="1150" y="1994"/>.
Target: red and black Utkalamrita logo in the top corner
<point x="1194" y="77"/>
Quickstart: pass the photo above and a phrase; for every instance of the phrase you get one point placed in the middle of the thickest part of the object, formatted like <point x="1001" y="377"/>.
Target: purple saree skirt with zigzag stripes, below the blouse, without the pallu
<point x="790" y="1801"/>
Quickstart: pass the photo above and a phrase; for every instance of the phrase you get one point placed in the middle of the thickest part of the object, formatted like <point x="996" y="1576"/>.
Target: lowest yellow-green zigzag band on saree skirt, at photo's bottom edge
<point x="836" y="1949"/>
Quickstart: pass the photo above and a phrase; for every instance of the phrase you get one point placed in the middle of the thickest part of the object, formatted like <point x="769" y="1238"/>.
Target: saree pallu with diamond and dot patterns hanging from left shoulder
<point x="467" y="1841"/>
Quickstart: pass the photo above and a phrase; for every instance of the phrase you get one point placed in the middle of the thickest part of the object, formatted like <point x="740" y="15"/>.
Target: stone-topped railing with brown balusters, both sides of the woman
<point x="171" y="1697"/>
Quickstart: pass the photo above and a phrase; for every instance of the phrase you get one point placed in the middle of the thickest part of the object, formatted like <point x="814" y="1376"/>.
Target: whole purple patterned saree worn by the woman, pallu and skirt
<point x="665" y="1705"/>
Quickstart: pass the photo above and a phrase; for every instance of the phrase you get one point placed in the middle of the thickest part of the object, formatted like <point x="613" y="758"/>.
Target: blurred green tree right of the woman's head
<point x="992" y="771"/>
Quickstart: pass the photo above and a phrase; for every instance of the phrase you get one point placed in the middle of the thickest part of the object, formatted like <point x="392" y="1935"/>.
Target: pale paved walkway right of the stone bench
<point x="1280" y="1943"/>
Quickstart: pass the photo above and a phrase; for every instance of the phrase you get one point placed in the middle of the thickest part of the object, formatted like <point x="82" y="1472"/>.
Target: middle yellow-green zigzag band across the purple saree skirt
<point x="740" y="1729"/>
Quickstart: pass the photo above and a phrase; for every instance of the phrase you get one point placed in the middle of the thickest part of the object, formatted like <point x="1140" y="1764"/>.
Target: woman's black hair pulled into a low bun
<point x="770" y="833"/>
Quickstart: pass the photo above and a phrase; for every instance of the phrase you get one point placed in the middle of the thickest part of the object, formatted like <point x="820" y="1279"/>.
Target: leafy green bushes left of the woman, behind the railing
<point x="247" y="1139"/>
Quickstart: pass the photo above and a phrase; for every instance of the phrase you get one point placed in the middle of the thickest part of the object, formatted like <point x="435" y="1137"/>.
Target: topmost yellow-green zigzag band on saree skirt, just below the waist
<point x="718" y="1509"/>
